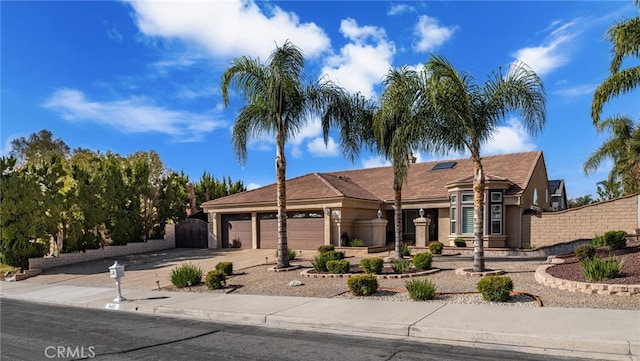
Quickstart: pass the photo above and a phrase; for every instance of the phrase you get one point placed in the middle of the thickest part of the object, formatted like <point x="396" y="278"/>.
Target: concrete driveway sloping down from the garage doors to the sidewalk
<point x="144" y="269"/>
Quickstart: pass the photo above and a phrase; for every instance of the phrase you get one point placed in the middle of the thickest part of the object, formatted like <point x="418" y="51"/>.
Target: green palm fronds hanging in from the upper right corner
<point x="625" y="38"/>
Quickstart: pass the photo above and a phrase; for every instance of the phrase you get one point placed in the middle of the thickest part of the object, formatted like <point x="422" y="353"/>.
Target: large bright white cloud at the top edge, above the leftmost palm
<point x="229" y="28"/>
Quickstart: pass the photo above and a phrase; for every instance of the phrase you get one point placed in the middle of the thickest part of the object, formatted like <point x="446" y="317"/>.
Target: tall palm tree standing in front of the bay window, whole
<point x="463" y="115"/>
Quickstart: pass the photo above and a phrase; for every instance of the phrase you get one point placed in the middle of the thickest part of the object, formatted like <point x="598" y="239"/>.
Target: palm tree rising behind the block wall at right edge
<point x="623" y="148"/>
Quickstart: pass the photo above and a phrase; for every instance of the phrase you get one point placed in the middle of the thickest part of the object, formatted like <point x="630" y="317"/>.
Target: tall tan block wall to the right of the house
<point x="551" y="228"/>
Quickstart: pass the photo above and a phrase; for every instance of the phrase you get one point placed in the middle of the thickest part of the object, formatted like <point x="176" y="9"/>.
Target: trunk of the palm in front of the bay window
<point x="478" y="214"/>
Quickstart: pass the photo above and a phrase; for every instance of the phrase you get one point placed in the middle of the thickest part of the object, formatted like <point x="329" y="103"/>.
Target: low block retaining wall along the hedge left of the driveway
<point x="151" y="245"/>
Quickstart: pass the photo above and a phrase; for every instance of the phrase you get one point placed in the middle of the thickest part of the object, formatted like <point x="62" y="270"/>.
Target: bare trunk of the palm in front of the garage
<point x="283" y="256"/>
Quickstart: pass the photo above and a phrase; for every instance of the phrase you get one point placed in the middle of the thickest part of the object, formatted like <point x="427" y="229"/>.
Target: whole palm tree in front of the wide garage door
<point x="277" y="103"/>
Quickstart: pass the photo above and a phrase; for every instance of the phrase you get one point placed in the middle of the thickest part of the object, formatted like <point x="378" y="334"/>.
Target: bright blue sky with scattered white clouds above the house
<point x="130" y="76"/>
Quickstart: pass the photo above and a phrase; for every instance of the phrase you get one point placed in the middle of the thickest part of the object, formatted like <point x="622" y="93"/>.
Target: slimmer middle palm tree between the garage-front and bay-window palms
<point x="397" y="107"/>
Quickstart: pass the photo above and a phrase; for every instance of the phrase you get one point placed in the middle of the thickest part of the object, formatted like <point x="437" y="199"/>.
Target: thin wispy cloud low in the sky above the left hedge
<point x="132" y="115"/>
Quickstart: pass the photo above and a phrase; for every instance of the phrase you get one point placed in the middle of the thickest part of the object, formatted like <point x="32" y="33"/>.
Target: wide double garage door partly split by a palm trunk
<point x="305" y="230"/>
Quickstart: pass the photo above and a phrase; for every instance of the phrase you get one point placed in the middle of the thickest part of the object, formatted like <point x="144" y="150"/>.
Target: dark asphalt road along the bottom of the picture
<point x="31" y="331"/>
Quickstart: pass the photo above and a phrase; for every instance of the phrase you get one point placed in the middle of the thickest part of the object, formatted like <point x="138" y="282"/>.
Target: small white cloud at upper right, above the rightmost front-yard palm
<point x="552" y="53"/>
